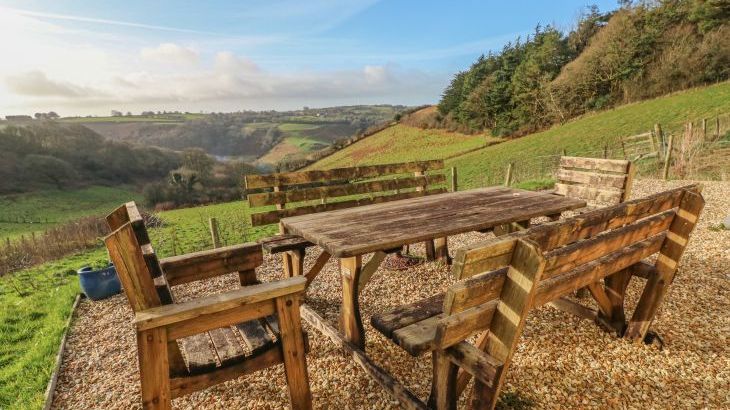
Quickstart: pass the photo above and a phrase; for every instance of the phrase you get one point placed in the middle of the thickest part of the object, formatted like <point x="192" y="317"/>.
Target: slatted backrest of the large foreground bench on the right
<point x="502" y="278"/>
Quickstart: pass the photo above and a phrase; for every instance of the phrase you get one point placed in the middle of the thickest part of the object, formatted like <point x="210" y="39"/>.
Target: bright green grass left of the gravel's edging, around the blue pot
<point x="31" y="326"/>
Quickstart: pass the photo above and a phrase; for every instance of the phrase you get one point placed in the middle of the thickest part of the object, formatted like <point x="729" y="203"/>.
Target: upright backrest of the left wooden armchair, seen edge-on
<point x="134" y="259"/>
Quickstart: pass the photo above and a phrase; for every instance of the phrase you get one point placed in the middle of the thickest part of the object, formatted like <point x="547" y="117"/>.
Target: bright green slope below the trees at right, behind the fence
<point x="591" y="132"/>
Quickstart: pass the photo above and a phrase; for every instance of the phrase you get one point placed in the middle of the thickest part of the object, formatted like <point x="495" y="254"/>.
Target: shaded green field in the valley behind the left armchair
<point x="57" y="207"/>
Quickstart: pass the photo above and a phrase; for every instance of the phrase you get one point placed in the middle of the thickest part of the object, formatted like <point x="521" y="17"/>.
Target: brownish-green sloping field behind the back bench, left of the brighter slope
<point x="401" y="143"/>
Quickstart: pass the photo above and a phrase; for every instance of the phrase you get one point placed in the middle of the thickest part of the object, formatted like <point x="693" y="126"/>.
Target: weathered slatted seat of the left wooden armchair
<point x="223" y="347"/>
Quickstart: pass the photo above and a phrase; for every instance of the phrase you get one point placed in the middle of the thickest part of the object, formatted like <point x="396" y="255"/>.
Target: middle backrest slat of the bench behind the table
<point x="330" y="191"/>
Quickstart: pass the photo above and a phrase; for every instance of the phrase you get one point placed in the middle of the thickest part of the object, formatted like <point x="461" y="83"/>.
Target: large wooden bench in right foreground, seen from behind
<point x="502" y="279"/>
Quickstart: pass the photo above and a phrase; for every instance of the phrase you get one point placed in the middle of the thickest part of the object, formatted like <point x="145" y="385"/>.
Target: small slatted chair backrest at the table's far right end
<point x="595" y="180"/>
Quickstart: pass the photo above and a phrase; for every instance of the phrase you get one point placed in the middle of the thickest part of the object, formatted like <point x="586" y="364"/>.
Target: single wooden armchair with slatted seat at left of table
<point x="205" y="331"/>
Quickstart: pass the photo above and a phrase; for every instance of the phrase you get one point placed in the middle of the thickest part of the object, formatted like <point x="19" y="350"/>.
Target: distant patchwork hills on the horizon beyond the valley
<point x="266" y="138"/>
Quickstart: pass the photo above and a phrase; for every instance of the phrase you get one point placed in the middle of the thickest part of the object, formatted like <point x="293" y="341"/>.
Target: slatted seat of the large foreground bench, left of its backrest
<point x="413" y="326"/>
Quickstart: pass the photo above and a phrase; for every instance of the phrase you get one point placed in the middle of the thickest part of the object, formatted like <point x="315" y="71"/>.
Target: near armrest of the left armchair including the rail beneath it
<point x="224" y="309"/>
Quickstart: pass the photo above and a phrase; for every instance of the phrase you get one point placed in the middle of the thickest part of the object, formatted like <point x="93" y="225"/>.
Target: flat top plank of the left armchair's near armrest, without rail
<point x="197" y="309"/>
